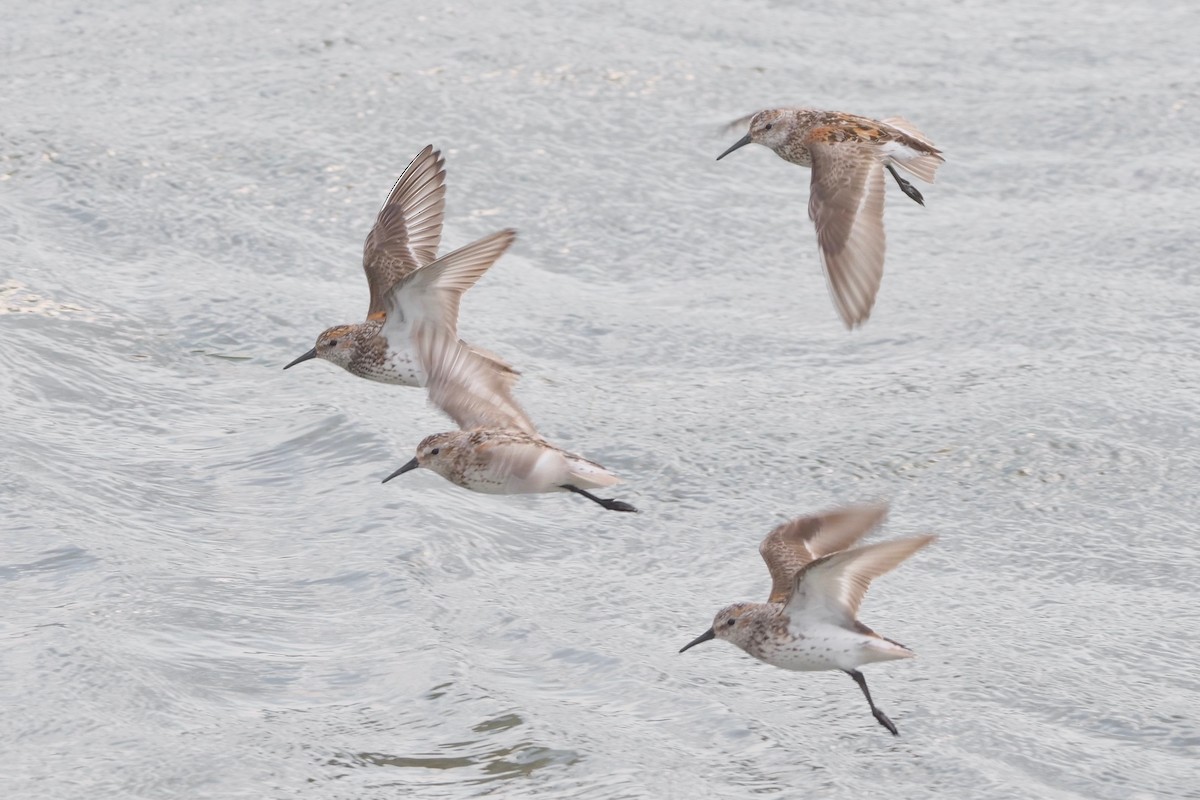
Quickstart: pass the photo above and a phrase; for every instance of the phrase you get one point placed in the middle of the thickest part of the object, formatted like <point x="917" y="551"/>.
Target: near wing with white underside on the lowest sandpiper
<point x="831" y="590"/>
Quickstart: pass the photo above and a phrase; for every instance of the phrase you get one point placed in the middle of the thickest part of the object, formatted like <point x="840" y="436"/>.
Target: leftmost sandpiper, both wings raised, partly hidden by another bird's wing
<point x="400" y="248"/>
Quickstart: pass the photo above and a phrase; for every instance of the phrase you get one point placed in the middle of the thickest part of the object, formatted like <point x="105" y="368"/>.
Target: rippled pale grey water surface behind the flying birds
<point x="208" y="593"/>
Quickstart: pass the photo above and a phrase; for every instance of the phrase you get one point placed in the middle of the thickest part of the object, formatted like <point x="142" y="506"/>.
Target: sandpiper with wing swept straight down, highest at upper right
<point x="848" y="155"/>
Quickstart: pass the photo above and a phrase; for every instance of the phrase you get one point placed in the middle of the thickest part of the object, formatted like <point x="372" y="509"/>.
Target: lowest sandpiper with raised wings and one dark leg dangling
<point x="811" y="622"/>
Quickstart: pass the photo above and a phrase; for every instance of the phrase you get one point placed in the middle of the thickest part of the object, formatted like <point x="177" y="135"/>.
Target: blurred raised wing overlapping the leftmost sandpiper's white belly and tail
<point x="472" y="389"/>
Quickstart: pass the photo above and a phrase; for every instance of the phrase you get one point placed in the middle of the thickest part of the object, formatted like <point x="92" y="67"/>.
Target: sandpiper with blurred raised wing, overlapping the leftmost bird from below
<point x="497" y="449"/>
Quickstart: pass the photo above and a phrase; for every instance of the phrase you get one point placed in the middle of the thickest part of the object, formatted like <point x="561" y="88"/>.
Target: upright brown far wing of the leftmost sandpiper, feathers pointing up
<point x="407" y="232"/>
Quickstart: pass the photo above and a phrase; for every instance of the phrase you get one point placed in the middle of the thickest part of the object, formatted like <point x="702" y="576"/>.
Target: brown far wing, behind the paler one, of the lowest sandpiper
<point x="796" y="544"/>
